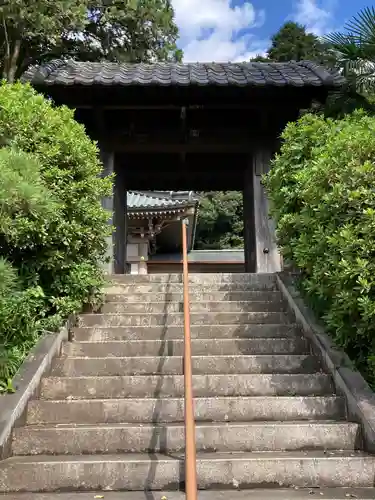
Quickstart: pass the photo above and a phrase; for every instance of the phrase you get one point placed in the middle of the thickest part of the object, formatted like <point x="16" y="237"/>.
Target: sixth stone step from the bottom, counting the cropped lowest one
<point x="143" y="365"/>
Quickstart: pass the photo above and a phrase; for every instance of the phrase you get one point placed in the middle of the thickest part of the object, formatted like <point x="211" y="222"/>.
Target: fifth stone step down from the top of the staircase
<point x="177" y="319"/>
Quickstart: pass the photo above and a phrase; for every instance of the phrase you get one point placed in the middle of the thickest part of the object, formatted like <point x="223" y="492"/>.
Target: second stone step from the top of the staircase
<point x="169" y="288"/>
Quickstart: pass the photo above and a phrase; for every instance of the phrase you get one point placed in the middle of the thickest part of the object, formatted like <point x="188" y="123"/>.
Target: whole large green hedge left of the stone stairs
<point x="52" y="226"/>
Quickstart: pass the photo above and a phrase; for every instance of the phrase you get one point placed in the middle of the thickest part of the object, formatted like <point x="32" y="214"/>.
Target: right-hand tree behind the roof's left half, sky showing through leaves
<point x="128" y="31"/>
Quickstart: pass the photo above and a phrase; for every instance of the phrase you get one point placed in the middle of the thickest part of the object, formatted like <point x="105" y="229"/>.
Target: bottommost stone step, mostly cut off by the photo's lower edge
<point x="254" y="494"/>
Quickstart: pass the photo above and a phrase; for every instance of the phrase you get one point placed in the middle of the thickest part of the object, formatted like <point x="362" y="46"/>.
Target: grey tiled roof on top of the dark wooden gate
<point x="295" y="74"/>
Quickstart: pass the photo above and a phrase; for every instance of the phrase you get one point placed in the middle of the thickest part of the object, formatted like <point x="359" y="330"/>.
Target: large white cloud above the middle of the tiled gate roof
<point x="214" y="30"/>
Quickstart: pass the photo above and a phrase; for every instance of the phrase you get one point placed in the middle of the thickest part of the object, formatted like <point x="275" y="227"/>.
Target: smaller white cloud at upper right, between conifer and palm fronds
<point x="317" y="18"/>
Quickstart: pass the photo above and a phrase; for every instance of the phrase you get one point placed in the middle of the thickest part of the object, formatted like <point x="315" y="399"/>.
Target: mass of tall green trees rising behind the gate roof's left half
<point x="115" y="30"/>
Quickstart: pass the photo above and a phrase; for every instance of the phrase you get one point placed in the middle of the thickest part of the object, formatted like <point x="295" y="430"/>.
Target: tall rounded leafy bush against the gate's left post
<point x="70" y="169"/>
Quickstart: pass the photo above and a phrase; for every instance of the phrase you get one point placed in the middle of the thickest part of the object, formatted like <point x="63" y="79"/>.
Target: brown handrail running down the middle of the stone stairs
<point x="190" y="448"/>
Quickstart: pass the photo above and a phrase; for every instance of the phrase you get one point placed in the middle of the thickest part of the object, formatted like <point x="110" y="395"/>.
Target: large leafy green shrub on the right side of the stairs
<point x="322" y="187"/>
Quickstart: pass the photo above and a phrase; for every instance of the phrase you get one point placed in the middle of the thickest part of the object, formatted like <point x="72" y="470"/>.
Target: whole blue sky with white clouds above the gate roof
<point x="235" y="30"/>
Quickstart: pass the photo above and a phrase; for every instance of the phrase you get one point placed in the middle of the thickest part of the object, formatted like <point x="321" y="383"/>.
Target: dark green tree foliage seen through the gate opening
<point x="220" y="221"/>
